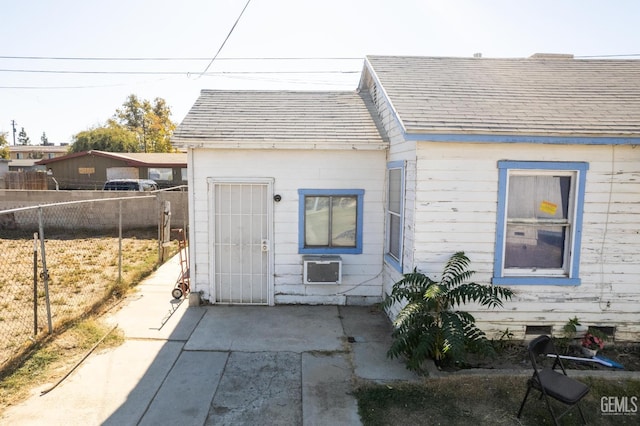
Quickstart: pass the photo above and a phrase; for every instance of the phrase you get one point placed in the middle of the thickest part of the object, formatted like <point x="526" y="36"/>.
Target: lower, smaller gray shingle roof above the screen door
<point x="280" y="119"/>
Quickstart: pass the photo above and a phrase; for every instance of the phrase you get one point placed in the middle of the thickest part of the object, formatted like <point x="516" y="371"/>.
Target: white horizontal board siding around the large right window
<point x="456" y="201"/>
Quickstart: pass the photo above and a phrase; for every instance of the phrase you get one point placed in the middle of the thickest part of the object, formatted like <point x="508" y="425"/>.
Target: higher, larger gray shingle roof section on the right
<point x="534" y="96"/>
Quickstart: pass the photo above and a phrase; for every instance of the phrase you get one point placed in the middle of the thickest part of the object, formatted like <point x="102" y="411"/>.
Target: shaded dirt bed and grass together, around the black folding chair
<point x="494" y="399"/>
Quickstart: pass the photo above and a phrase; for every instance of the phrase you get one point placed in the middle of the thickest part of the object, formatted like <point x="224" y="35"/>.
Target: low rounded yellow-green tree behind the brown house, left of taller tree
<point x="107" y="138"/>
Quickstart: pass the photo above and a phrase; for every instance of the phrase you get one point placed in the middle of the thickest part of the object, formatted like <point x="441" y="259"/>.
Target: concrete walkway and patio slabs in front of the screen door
<point x="221" y="365"/>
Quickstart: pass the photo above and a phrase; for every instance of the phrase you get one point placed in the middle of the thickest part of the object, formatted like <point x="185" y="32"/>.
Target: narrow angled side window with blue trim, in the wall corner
<point x="394" y="211"/>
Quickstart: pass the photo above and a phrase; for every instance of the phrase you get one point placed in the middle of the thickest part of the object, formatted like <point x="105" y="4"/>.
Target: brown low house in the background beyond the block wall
<point x="91" y="169"/>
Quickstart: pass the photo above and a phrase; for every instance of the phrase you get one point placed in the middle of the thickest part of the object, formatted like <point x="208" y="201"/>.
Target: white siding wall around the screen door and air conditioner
<point x="293" y="170"/>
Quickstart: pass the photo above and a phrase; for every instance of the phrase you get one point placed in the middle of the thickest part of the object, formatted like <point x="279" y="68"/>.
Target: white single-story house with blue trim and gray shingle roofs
<point x="530" y="166"/>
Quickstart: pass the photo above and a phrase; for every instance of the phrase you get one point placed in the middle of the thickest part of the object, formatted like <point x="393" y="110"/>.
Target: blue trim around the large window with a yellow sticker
<point x="574" y="268"/>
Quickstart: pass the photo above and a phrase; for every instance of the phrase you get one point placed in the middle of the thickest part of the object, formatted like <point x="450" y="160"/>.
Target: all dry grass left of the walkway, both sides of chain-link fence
<point x="83" y="282"/>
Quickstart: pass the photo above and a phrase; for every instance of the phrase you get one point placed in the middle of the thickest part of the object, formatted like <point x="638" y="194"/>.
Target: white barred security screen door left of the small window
<point x="241" y="247"/>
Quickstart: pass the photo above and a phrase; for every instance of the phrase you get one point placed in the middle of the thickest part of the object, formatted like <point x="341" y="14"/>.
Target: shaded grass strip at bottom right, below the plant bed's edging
<point x="490" y="400"/>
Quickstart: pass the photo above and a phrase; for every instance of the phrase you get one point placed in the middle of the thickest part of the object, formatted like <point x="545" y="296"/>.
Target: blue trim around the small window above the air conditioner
<point x="359" y="221"/>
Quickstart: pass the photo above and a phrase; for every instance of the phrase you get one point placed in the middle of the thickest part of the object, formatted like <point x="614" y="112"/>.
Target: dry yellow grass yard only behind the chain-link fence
<point x="83" y="275"/>
